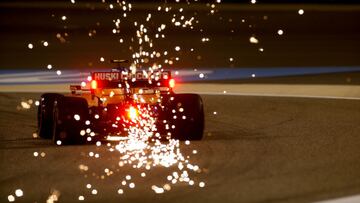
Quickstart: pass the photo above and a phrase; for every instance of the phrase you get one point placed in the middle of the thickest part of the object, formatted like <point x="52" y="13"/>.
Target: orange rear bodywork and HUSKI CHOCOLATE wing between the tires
<point x="99" y="94"/>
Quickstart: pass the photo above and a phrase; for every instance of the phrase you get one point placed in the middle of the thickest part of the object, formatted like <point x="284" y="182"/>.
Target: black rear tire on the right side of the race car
<point x="188" y="117"/>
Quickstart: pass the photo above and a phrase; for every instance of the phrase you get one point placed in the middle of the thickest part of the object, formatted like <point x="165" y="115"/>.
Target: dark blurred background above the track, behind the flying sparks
<point x="246" y="38"/>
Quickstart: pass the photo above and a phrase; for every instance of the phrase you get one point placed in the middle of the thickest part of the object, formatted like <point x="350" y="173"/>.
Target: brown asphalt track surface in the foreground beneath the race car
<point x="256" y="149"/>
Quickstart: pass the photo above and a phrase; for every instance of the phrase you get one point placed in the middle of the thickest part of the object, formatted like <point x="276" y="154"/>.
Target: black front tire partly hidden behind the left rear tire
<point x="45" y="114"/>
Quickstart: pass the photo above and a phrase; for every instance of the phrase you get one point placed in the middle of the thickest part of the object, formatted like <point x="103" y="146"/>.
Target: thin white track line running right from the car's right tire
<point x="274" y="95"/>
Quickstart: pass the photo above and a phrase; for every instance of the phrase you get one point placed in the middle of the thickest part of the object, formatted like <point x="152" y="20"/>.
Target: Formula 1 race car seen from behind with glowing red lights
<point x="117" y="100"/>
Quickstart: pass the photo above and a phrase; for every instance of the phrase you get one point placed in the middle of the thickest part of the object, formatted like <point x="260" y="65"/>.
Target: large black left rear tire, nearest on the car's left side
<point x="69" y="115"/>
